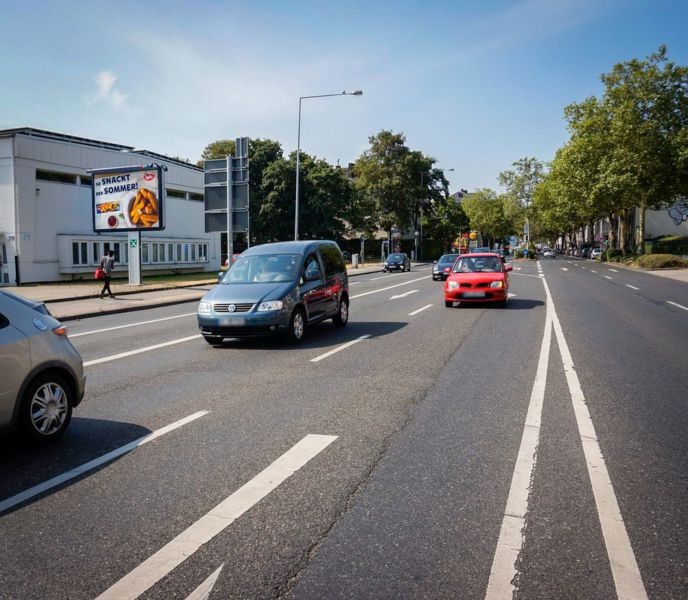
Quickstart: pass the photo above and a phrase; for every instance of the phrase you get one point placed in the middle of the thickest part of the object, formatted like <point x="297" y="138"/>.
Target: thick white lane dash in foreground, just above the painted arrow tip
<point x="154" y="568"/>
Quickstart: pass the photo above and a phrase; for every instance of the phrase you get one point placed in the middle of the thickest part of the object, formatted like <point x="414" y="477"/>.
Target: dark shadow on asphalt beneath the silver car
<point x="23" y="465"/>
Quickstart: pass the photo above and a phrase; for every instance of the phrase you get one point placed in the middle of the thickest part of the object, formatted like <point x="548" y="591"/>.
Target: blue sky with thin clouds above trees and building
<point x="476" y="85"/>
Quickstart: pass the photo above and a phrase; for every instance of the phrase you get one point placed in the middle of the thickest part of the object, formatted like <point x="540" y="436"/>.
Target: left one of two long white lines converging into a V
<point x="511" y="535"/>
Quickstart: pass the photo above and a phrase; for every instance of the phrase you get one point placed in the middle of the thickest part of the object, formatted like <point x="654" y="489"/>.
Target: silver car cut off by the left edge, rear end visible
<point x="42" y="373"/>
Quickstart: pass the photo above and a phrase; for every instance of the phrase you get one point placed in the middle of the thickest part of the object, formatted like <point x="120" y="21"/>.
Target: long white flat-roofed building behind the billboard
<point x="46" y="227"/>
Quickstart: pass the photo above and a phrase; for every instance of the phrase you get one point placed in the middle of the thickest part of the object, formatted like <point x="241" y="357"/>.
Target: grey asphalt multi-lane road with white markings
<point x="420" y="452"/>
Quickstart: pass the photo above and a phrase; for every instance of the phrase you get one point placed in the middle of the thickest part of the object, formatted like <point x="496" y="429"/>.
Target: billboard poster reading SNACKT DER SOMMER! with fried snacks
<point x="128" y="199"/>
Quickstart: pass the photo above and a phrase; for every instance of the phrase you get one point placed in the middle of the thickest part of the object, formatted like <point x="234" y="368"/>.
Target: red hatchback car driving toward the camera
<point x="477" y="277"/>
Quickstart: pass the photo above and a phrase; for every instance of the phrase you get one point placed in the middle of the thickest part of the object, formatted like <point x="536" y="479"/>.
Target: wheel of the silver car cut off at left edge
<point x="46" y="408"/>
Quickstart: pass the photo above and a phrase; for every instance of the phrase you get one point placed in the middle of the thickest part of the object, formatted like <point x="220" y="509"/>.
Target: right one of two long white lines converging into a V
<point x="627" y="578"/>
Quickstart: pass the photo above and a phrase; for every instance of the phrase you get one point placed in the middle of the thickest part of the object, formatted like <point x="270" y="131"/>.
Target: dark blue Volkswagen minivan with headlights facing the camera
<point x="277" y="288"/>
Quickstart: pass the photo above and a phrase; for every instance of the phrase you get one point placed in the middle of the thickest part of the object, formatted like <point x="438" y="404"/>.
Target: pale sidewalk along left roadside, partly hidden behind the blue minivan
<point x="71" y="301"/>
